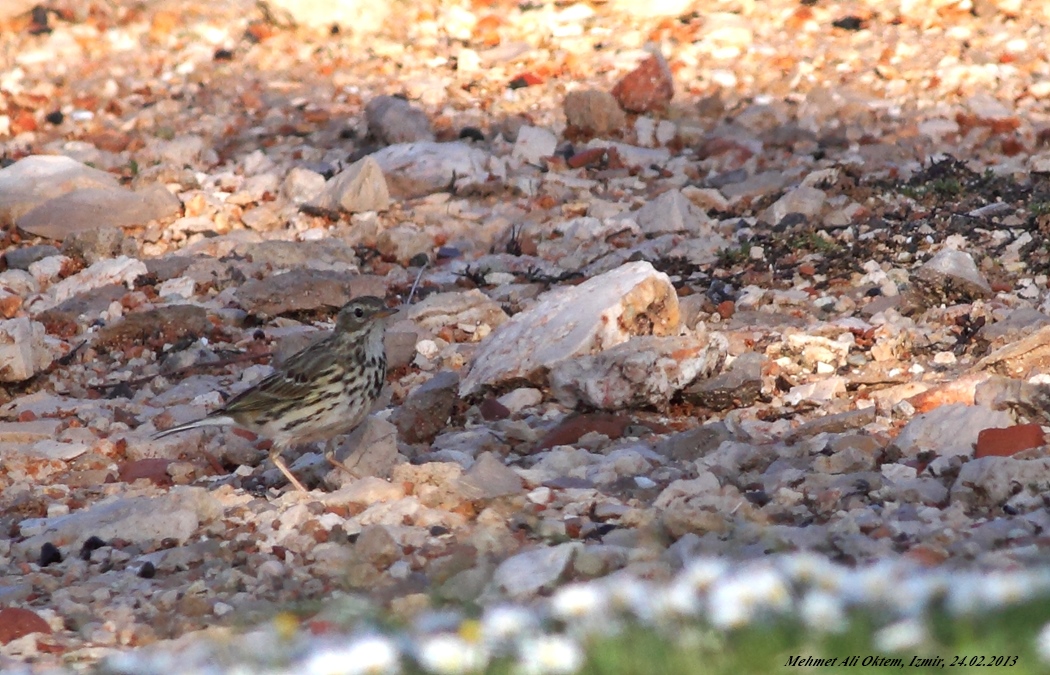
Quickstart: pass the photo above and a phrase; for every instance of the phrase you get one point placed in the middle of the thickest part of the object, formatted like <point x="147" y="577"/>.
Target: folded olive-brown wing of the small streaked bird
<point x="295" y="381"/>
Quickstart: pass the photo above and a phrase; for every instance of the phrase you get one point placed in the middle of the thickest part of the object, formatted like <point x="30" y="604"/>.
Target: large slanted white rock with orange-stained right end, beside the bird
<point x="597" y="315"/>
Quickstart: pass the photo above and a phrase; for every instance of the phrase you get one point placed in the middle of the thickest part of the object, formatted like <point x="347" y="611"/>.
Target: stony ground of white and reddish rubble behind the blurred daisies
<point x="727" y="280"/>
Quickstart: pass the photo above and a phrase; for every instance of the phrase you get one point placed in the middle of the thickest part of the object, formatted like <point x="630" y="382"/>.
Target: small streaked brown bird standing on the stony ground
<point x="318" y="394"/>
